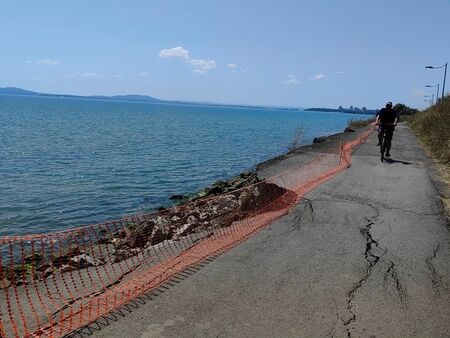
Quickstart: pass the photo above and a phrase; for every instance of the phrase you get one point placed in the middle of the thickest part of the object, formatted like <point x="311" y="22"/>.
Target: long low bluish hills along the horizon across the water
<point x="146" y="98"/>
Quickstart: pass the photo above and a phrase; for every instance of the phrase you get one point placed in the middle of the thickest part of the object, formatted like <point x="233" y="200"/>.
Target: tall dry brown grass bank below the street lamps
<point x="433" y="129"/>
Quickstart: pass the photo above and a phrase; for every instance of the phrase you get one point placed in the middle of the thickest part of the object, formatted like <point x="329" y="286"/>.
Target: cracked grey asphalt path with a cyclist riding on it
<point x="364" y="255"/>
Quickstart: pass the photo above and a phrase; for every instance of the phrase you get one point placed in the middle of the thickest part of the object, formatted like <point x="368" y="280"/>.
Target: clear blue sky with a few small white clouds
<point x="293" y="53"/>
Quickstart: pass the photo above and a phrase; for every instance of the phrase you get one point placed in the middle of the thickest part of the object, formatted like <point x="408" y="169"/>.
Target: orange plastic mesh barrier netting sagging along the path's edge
<point x="53" y="284"/>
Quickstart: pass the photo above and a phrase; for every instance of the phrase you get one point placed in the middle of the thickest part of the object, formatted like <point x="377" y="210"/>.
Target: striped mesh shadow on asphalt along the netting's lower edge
<point x="123" y="311"/>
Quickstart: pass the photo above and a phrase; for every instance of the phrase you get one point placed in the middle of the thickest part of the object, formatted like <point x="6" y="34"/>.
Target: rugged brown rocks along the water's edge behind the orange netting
<point x="214" y="207"/>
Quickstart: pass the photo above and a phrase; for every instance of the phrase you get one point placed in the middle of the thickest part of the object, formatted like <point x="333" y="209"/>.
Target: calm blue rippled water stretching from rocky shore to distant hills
<point x="67" y="162"/>
